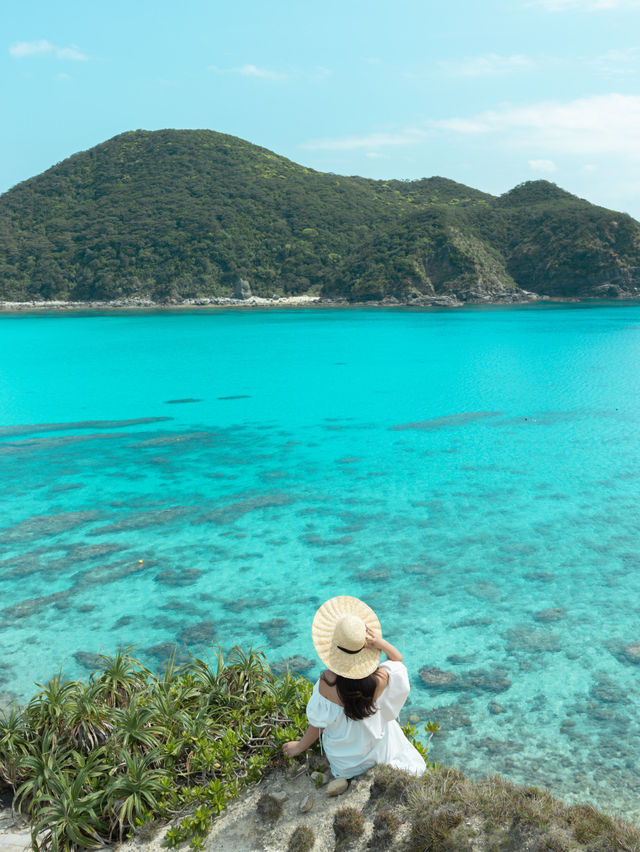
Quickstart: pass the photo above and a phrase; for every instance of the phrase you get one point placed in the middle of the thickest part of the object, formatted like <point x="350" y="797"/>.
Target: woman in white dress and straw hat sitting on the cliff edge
<point x="356" y="701"/>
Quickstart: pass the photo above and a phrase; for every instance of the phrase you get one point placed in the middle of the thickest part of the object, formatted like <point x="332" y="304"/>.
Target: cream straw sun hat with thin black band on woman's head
<point x="339" y="636"/>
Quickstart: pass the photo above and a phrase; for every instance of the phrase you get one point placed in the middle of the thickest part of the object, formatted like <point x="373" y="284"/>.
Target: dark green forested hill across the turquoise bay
<point x="177" y="214"/>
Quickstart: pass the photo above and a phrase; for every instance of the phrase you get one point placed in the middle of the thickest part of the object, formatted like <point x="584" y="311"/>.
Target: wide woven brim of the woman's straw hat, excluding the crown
<point x="353" y="666"/>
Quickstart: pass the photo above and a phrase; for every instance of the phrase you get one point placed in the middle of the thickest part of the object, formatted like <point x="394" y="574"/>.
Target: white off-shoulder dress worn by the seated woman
<point x="351" y="746"/>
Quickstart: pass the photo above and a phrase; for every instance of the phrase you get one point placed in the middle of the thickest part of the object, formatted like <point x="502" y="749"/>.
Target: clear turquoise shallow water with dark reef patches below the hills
<point x="462" y="471"/>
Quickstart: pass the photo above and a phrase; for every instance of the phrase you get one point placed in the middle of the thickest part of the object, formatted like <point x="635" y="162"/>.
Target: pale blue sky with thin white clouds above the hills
<point x="488" y="93"/>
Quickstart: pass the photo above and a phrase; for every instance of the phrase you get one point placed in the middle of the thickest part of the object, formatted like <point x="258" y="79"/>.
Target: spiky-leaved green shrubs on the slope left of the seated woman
<point x="93" y="763"/>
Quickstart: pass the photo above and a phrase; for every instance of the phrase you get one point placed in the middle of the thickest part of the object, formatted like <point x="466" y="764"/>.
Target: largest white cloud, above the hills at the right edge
<point x="601" y="124"/>
